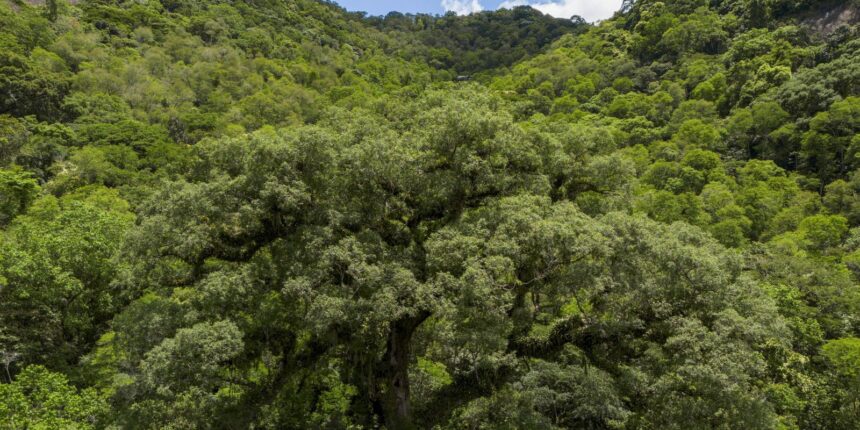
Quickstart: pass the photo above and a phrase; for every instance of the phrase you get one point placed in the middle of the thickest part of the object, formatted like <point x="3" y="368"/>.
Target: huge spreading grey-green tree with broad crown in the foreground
<point x="313" y="269"/>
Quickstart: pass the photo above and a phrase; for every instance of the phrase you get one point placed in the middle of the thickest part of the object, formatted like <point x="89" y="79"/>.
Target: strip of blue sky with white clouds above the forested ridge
<point x="591" y="10"/>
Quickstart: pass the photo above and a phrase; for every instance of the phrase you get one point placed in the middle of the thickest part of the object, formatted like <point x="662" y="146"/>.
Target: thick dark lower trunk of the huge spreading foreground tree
<point x="395" y="368"/>
